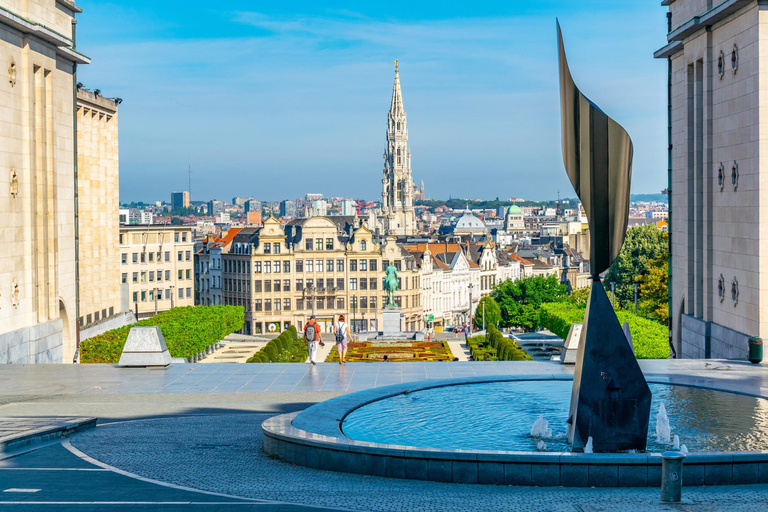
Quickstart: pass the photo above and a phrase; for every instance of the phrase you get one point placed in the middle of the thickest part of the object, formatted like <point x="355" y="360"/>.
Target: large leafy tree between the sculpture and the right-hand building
<point x="643" y="245"/>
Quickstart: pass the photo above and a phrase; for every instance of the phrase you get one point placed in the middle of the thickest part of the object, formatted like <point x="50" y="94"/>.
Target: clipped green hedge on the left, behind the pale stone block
<point x="187" y="330"/>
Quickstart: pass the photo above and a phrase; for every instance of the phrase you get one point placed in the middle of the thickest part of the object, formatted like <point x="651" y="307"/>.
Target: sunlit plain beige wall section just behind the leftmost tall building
<point x="98" y="203"/>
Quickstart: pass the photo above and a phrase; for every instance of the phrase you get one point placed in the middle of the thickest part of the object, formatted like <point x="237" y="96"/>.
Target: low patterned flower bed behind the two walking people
<point x="374" y="351"/>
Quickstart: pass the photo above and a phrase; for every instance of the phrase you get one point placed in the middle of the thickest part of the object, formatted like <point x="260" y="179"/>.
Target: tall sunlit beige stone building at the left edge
<point x="38" y="310"/>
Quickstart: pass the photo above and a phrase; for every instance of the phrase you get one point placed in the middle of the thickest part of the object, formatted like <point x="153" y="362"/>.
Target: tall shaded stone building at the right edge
<point x="718" y="227"/>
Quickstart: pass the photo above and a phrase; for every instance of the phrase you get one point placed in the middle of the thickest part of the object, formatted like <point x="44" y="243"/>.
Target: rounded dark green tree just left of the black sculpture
<point x="519" y="300"/>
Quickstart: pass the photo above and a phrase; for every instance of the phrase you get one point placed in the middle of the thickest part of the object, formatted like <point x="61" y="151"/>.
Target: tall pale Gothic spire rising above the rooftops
<point x="397" y="215"/>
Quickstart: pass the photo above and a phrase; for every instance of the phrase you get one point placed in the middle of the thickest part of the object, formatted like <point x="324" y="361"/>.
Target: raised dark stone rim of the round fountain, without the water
<point x="315" y="438"/>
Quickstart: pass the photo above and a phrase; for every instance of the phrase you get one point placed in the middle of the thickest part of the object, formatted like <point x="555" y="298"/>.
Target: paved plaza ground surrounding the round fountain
<point x="165" y="434"/>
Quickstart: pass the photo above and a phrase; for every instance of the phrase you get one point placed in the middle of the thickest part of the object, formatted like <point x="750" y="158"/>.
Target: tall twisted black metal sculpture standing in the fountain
<point x="610" y="401"/>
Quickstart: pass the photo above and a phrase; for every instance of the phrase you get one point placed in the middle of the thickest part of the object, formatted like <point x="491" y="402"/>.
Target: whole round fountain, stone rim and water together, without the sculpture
<point x="511" y="430"/>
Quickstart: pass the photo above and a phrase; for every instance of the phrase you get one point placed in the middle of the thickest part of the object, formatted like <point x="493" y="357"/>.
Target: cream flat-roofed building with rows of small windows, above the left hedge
<point x="157" y="264"/>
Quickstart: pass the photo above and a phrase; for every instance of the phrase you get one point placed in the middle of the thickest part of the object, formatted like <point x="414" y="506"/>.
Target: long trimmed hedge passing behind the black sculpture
<point x="650" y="339"/>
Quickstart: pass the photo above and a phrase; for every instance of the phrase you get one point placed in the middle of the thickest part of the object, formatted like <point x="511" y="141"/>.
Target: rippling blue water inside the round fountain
<point x="499" y="416"/>
